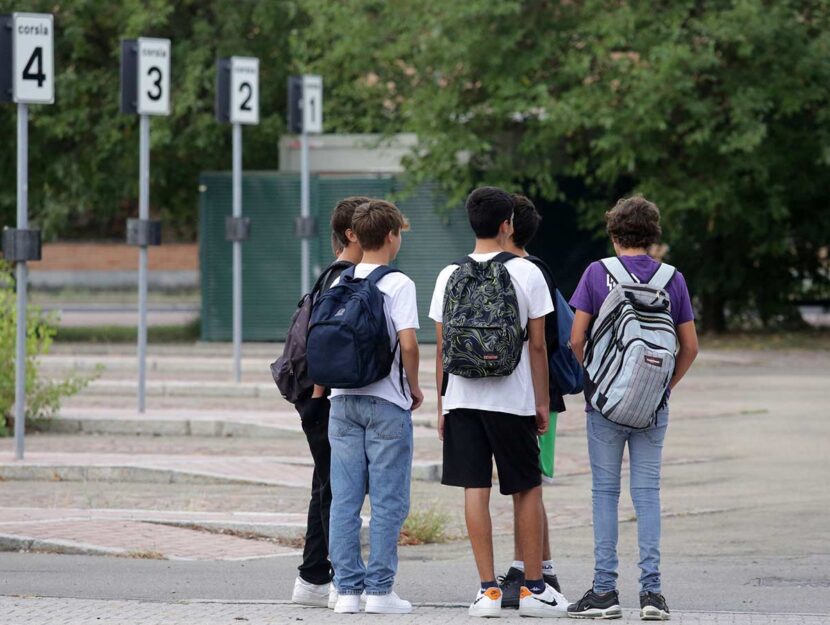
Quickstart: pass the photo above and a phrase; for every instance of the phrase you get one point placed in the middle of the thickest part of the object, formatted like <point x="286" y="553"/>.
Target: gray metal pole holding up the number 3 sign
<point x="144" y="214"/>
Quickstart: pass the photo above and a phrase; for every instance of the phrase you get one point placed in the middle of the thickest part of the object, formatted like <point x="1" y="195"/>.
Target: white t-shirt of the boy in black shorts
<point x="512" y="394"/>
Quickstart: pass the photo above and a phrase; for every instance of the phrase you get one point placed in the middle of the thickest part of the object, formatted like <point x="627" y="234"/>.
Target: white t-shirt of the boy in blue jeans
<point x="401" y="314"/>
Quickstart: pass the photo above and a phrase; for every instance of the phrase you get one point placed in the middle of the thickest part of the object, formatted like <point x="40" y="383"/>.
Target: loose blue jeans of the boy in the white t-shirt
<point x="371" y="451"/>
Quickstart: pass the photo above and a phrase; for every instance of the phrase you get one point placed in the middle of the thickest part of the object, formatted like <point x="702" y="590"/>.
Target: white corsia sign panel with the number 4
<point x="33" y="60"/>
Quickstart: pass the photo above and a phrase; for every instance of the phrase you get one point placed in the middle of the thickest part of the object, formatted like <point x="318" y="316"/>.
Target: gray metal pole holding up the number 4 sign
<point x="22" y="279"/>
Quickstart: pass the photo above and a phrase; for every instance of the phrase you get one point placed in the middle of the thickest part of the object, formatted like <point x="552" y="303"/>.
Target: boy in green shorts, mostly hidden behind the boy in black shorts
<point x="526" y="220"/>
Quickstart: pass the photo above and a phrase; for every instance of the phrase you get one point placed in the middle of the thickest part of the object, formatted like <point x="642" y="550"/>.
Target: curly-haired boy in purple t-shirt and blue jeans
<point x="633" y="226"/>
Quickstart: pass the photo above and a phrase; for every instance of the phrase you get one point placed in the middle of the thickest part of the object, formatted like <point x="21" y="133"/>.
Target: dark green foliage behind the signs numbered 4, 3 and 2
<point x="84" y="152"/>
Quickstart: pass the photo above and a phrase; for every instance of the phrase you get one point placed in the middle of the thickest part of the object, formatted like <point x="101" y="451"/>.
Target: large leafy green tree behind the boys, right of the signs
<point x="716" y="111"/>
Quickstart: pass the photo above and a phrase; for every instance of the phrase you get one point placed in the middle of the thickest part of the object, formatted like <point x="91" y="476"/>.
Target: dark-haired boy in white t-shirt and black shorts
<point x="499" y="416"/>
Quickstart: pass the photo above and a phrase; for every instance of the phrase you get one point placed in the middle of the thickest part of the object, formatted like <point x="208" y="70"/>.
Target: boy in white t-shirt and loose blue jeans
<point x="370" y="432"/>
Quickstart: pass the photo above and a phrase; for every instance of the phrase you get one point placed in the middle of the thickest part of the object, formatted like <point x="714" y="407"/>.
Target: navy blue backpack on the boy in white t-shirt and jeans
<point x="348" y="343"/>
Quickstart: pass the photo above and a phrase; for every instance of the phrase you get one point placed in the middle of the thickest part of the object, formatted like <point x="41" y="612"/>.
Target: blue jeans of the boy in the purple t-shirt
<point x="606" y="441"/>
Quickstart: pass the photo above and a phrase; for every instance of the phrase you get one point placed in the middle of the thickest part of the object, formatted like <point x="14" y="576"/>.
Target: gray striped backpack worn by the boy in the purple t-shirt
<point x="630" y="352"/>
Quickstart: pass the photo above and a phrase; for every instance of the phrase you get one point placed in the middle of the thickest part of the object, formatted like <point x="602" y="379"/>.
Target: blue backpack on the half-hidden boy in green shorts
<point x="565" y="369"/>
